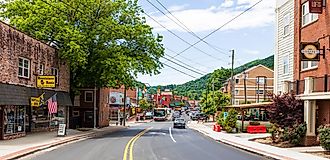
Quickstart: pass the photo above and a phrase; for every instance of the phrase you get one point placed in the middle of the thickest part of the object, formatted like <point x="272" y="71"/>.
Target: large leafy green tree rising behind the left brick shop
<point x="106" y="43"/>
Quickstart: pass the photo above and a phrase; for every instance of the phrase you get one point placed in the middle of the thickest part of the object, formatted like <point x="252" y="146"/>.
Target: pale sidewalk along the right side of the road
<point x="245" y="144"/>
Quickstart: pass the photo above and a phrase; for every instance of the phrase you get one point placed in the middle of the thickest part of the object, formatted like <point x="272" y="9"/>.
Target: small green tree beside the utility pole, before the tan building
<point x="215" y="102"/>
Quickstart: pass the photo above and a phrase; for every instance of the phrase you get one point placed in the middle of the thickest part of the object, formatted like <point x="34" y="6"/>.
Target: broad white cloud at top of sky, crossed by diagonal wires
<point x="206" y="19"/>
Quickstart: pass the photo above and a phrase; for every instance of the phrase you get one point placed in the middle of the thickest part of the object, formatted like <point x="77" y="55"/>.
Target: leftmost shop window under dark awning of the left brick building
<point x="14" y="119"/>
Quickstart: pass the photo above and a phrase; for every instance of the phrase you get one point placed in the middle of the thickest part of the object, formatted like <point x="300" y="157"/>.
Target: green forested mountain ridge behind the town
<point x="195" y="88"/>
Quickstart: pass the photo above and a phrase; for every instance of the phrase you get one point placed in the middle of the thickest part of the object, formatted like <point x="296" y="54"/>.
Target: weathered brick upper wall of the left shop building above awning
<point x="15" y="44"/>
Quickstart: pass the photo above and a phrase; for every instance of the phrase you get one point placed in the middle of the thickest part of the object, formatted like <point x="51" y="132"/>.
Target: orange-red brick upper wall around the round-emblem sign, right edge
<point x="311" y="33"/>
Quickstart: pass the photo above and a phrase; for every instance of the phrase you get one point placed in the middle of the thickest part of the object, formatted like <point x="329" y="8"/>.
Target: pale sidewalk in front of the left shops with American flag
<point x="12" y="149"/>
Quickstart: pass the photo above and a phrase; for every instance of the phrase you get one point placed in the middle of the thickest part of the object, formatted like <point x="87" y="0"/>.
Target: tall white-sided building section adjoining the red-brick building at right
<point x="284" y="45"/>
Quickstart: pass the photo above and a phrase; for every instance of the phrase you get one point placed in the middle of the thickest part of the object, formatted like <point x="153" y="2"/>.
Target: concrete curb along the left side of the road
<point x="38" y="148"/>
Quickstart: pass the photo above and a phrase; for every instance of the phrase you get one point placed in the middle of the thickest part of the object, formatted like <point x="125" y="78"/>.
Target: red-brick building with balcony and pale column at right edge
<point x="312" y="81"/>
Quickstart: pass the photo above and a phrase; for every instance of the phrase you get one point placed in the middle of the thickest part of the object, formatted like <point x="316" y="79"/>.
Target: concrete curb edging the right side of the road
<point x="245" y="148"/>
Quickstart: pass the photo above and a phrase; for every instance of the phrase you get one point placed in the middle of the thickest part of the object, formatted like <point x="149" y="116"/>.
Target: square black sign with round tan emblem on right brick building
<point x="310" y="51"/>
